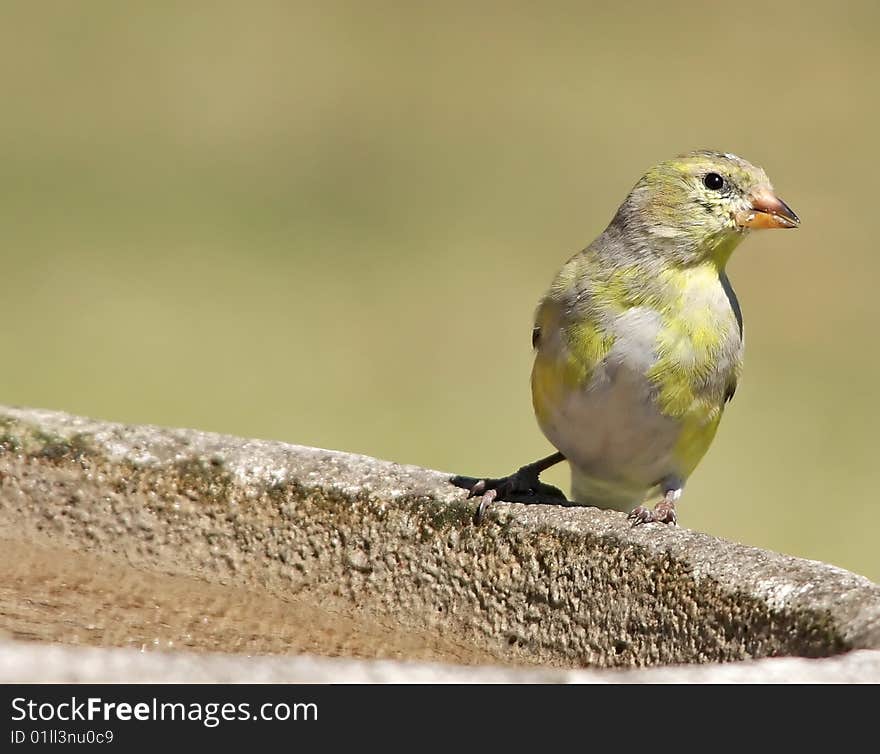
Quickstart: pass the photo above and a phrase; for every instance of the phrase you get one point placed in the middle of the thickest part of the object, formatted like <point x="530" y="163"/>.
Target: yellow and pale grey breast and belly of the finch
<point x="636" y="393"/>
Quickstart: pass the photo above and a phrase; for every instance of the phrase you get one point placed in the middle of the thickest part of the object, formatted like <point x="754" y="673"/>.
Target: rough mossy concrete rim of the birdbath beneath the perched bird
<point x="537" y="584"/>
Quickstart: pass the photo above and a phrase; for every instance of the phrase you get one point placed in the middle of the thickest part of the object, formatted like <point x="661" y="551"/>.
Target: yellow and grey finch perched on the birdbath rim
<point x="639" y="340"/>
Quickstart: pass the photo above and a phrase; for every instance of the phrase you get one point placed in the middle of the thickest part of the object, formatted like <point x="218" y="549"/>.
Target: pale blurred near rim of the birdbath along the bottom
<point x="32" y="663"/>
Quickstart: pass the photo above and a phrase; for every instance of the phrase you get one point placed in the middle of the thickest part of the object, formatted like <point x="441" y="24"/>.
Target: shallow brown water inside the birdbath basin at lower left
<point x="54" y="594"/>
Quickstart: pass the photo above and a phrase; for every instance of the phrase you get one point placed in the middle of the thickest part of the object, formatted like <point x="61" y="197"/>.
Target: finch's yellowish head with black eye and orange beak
<point x="700" y="205"/>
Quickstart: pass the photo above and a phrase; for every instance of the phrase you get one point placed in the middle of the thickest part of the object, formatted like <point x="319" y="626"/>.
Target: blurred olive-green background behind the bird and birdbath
<point x="330" y="223"/>
